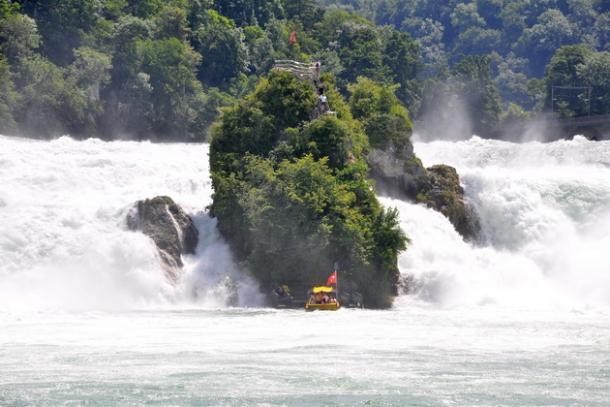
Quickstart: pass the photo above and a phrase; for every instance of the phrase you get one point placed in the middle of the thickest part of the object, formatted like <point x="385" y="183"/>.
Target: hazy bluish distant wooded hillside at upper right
<point x="520" y="38"/>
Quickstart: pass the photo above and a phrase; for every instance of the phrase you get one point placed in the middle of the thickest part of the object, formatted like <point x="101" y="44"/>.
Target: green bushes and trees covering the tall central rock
<point x="292" y="194"/>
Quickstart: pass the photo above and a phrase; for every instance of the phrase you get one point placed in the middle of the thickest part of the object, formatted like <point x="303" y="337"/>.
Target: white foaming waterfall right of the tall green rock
<point x="545" y="217"/>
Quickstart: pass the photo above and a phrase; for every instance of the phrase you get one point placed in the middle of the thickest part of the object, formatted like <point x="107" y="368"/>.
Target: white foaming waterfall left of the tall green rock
<point x="64" y="243"/>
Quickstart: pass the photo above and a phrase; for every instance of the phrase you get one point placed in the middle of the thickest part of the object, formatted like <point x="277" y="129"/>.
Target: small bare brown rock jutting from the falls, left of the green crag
<point x="170" y="228"/>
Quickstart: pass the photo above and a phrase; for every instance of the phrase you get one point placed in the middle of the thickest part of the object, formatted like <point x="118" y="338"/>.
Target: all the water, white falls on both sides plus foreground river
<point x="86" y="316"/>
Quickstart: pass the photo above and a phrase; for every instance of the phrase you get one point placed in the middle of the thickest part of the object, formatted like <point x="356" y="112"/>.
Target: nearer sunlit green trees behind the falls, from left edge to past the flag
<point x="162" y="69"/>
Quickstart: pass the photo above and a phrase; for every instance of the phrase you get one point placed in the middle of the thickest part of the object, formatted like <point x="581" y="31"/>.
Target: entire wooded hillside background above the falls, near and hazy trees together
<point x="163" y="69"/>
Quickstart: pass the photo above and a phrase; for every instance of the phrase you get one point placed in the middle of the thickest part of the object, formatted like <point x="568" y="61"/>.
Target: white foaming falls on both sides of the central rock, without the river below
<point x="544" y="211"/>
